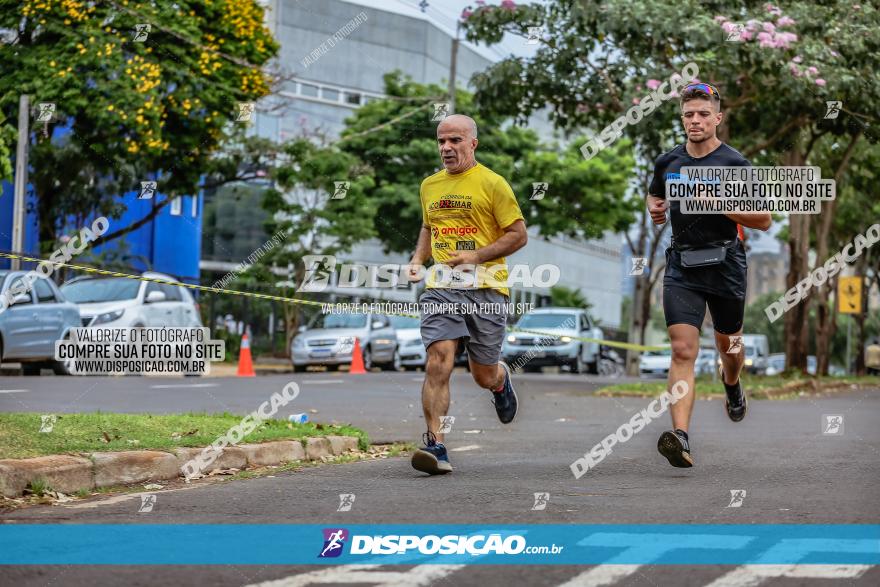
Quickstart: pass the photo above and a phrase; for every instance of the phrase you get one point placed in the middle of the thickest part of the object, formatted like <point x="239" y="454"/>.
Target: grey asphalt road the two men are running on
<point x="791" y="472"/>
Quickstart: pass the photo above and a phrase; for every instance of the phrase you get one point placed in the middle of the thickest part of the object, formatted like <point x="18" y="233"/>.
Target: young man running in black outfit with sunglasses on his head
<point x="688" y="288"/>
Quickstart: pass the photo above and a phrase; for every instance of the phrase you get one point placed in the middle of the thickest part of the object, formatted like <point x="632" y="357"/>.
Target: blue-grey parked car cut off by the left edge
<point x="33" y="322"/>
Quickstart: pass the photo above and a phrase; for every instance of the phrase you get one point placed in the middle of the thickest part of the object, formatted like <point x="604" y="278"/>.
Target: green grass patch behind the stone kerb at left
<point x="20" y="435"/>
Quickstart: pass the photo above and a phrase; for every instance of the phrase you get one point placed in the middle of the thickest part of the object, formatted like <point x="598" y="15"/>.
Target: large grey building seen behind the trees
<point x="331" y="82"/>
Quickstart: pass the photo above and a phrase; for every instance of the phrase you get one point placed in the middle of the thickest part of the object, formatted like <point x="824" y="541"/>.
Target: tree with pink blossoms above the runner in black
<point x="775" y="65"/>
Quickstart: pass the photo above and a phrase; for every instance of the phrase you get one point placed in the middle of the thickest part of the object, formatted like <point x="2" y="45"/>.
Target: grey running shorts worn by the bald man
<point x="476" y="317"/>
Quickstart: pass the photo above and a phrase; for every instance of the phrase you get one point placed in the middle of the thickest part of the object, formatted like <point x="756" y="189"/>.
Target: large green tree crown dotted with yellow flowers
<point x="132" y="109"/>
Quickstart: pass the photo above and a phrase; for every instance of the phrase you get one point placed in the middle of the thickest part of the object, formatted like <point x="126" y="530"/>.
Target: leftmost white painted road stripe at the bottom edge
<point x="415" y="577"/>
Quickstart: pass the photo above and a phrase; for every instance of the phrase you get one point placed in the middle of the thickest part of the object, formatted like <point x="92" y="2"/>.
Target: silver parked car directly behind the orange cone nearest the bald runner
<point x="332" y="343"/>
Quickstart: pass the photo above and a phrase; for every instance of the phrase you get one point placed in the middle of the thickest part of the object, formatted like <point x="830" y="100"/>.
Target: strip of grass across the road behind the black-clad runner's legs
<point x="761" y="387"/>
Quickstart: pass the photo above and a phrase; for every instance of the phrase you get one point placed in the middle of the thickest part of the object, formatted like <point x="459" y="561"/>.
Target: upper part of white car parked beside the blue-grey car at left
<point x="122" y="302"/>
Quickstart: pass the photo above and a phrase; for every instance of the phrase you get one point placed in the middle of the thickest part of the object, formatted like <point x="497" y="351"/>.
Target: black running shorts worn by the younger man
<point x="688" y="306"/>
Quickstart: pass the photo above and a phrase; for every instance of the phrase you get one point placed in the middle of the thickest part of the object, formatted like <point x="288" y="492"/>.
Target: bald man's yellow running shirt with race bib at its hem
<point x="465" y="212"/>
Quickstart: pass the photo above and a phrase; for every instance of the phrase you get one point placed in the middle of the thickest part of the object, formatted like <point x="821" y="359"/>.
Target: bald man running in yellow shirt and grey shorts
<point x="470" y="222"/>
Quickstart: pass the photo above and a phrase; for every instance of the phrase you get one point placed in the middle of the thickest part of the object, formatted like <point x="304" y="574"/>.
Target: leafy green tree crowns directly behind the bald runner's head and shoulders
<point x="584" y="198"/>
